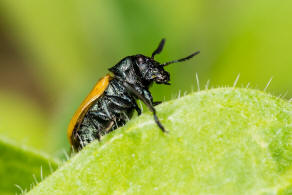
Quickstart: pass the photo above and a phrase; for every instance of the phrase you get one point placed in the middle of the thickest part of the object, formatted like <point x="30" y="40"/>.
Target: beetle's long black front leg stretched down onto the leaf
<point x="146" y="101"/>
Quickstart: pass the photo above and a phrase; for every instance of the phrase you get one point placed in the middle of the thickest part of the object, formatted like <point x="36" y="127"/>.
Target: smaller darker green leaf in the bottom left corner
<point x="21" y="168"/>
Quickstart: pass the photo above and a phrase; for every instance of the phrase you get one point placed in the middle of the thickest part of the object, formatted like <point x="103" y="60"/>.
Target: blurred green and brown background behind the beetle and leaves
<point x="53" y="52"/>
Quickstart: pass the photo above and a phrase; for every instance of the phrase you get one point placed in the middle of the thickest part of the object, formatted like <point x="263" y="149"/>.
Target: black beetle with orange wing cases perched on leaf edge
<point x="112" y="101"/>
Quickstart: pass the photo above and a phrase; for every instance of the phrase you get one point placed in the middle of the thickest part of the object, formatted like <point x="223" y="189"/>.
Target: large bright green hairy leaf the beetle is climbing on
<point x="221" y="141"/>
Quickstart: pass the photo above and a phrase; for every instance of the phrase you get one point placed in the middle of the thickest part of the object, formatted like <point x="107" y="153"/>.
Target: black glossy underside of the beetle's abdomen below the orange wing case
<point x="112" y="110"/>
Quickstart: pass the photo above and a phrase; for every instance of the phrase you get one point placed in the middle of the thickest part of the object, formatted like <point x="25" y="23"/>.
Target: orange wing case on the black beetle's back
<point x="95" y="93"/>
